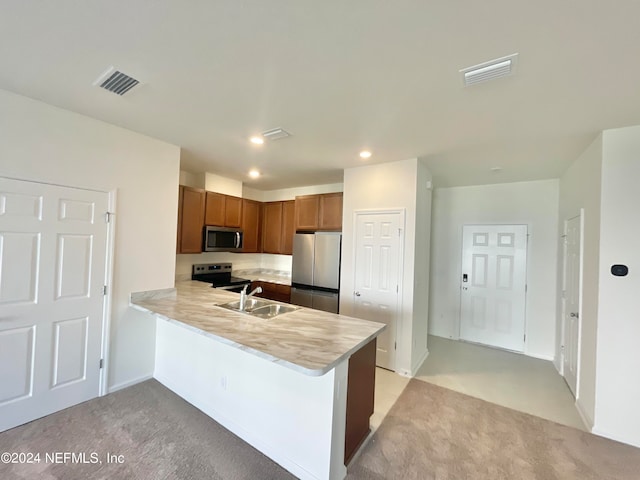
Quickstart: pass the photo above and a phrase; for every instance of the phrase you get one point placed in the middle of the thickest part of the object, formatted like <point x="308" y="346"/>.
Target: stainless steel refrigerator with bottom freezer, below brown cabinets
<point x="315" y="274"/>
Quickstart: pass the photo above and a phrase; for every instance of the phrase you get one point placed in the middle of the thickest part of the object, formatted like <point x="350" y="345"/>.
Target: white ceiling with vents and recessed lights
<point x="339" y="75"/>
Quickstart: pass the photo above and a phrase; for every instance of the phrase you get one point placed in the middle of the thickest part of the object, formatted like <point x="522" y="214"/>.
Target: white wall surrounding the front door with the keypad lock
<point x="532" y="203"/>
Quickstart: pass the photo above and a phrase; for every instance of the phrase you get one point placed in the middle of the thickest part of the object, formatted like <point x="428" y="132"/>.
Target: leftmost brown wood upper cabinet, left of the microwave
<point x="191" y="206"/>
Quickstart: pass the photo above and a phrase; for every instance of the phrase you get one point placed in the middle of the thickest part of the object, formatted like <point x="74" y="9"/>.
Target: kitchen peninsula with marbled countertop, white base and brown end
<point x="291" y="386"/>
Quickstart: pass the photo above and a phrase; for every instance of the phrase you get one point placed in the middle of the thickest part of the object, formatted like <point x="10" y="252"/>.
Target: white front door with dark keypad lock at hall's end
<point x="493" y="287"/>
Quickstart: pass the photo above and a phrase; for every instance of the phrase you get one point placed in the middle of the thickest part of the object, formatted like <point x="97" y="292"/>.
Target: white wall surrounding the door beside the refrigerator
<point x="383" y="186"/>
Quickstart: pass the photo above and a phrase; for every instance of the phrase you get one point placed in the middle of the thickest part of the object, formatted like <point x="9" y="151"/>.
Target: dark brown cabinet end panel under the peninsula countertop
<point x="360" y="397"/>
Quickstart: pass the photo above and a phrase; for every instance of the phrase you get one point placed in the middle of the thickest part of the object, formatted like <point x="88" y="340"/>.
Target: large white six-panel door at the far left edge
<point x="53" y="244"/>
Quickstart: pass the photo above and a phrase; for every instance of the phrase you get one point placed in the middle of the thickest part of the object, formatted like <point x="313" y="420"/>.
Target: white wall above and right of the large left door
<point x="43" y="143"/>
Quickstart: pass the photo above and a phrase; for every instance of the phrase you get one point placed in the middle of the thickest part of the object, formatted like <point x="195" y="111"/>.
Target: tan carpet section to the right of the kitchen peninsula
<point x="435" y="433"/>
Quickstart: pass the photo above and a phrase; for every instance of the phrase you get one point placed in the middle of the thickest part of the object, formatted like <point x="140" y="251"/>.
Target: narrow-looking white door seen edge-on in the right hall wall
<point x="571" y="302"/>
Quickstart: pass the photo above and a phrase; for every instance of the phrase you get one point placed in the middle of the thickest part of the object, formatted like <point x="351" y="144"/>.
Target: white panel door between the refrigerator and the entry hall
<point x="377" y="271"/>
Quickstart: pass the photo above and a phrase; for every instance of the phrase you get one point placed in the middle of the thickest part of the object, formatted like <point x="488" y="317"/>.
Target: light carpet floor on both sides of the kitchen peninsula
<point x="429" y="433"/>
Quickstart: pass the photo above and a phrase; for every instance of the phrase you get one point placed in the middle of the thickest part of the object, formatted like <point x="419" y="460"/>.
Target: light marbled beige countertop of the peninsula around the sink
<point x="309" y="341"/>
